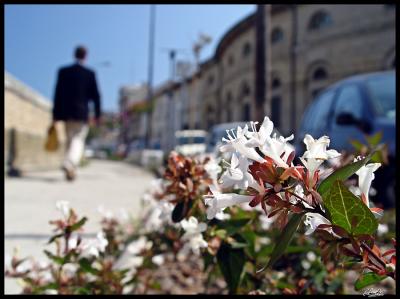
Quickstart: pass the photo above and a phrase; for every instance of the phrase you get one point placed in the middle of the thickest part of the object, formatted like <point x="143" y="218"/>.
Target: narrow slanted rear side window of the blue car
<point x="321" y="111"/>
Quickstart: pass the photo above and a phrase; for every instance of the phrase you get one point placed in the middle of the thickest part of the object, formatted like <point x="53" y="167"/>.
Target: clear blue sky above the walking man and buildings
<point x="41" y="38"/>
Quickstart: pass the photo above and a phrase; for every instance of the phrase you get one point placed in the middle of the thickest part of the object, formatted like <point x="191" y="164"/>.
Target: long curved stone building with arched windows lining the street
<point x="307" y="48"/>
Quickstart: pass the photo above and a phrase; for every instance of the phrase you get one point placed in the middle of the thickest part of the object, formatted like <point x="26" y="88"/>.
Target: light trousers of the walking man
<point x="76" y="132"/>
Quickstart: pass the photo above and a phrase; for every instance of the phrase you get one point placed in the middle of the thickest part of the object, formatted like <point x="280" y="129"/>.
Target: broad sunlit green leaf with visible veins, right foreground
<point x="348" y="211"/>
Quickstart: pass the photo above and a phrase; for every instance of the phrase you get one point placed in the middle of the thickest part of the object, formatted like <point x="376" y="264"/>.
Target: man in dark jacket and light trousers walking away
<point x="76" y="86"/>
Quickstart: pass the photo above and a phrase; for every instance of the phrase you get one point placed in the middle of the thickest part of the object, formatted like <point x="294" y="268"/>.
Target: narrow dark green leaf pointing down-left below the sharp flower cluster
<point x="285" y="238"/>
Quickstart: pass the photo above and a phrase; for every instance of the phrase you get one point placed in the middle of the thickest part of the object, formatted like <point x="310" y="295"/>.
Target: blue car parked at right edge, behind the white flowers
<point x="351" y="109"/>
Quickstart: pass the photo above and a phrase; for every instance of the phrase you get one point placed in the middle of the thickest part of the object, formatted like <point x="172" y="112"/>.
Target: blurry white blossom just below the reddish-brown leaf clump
<point x="192" y="235"/>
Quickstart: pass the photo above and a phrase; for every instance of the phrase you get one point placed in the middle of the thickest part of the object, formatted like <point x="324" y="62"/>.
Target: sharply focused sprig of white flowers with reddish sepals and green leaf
<point x="261" y="172"/>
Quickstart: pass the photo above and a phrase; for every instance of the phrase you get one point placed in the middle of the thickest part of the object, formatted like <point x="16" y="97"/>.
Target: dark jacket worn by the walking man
<point x="76" y="86"/>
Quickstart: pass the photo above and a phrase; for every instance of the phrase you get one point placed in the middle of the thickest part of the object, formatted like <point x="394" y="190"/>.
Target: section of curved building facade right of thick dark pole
<point x="313" y="46"/>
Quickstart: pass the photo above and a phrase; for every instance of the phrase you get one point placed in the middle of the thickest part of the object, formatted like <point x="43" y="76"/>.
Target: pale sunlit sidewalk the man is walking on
<point x="30" y="203"/>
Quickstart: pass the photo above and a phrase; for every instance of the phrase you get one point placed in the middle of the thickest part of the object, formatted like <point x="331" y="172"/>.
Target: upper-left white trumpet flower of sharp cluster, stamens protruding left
<point x="237" y="143"/>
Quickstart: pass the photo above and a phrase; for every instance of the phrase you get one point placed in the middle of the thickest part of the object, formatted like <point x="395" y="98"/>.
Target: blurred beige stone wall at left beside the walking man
<point x="27" y="116"/>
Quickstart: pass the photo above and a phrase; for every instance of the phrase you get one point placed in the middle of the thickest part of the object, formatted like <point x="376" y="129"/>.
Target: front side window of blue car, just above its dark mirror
<point x="350" y="101"/>
